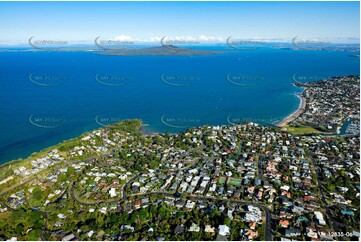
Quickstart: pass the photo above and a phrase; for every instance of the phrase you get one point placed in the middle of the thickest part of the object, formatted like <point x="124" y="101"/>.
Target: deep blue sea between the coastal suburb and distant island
<point x="48" y="97"/>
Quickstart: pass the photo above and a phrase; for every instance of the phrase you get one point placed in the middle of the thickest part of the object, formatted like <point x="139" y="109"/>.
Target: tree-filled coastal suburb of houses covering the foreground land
<point x="300" y="181"/>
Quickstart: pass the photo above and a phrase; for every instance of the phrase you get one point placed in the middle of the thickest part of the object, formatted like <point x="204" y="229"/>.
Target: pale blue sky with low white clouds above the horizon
<point x="82" y="22"/>
